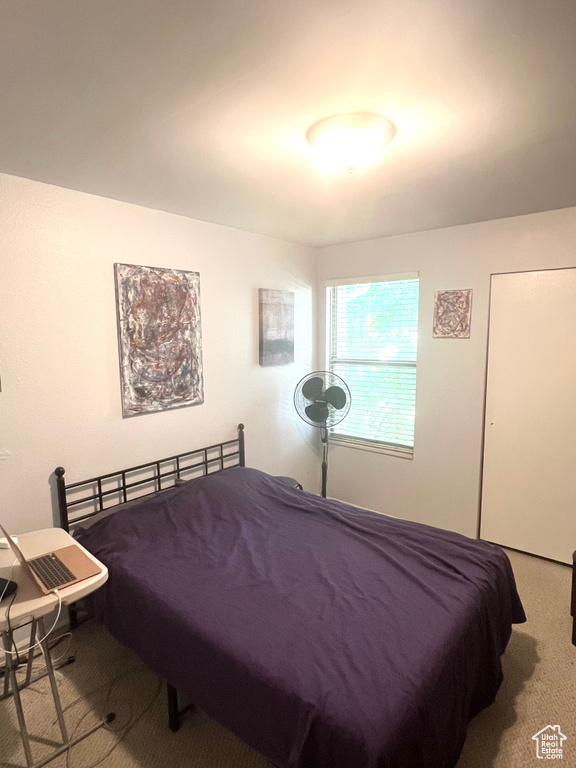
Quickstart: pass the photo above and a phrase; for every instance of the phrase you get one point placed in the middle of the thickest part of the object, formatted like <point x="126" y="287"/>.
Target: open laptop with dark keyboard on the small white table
<point x="58" y="569"/>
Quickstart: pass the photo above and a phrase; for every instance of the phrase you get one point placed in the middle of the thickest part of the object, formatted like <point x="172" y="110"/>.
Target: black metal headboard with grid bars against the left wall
<point x="91" y="497"/>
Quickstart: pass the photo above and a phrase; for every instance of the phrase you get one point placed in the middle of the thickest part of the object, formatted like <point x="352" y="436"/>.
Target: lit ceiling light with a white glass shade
<point x="347" y="142"/>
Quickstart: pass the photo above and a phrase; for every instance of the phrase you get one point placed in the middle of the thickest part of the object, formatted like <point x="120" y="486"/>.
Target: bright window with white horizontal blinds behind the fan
<point x="372" y="345"/>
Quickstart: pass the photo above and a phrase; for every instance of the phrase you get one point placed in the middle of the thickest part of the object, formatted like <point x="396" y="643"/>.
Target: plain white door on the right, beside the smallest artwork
<point x="529" y="475"/>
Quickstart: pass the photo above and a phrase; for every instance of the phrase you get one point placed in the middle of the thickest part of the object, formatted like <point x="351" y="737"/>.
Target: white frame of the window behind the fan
<point x="355" y="442"/>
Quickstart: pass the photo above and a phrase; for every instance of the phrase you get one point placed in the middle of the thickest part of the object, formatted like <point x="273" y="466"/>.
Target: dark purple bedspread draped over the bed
<point x="323" y="635"/>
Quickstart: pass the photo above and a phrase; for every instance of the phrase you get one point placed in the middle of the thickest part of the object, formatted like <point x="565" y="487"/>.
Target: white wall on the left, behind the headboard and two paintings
<point x="60" y="399"/>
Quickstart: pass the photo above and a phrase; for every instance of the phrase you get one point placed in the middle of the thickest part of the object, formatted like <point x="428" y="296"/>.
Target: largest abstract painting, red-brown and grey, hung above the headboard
<point x="160" y="338"/>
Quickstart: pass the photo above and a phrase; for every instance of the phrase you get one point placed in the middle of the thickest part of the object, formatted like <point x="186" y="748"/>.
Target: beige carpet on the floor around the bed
<point x="539" y="689"/>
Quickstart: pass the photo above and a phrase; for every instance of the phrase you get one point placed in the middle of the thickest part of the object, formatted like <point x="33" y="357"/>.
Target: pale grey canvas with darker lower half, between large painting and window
<point x="276" y="315"/>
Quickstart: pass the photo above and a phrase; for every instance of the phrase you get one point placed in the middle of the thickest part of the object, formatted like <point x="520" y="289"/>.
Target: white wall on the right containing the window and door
<point x="441" y="485"/>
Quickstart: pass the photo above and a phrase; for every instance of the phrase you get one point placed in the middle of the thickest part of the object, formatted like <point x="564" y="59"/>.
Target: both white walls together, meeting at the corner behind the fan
<point x="60" y="402"/>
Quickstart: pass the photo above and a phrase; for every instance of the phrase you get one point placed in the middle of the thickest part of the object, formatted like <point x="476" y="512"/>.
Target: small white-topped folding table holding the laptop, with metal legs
<point x="29" y="607"/>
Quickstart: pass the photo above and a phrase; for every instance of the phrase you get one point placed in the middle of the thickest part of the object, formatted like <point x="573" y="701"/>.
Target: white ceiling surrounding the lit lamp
<point x="201" y="108"/>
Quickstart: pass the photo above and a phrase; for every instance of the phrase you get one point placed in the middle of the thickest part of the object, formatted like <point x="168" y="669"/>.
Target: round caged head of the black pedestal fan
<point x="322" y="399"/>
